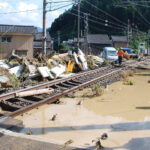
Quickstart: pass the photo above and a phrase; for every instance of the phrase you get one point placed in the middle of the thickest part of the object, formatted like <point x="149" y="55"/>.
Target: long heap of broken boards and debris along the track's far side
<point x="21" y="72"/>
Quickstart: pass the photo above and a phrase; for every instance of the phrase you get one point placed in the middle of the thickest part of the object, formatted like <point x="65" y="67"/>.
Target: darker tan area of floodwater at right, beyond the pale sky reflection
<point x="129" y="102"/>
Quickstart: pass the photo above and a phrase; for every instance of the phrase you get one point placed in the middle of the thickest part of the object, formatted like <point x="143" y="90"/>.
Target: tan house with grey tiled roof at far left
<point x="18" y="38"/>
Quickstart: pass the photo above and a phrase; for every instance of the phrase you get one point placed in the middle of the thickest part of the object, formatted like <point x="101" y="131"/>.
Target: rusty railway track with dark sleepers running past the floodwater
<point x="61" y="87"/>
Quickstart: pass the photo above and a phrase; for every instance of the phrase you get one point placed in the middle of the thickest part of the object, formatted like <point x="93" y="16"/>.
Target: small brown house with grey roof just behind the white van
<point x="119" y="41"/>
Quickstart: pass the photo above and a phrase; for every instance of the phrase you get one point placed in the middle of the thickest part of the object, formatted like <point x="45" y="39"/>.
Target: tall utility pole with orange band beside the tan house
<point x="44" y="28"/>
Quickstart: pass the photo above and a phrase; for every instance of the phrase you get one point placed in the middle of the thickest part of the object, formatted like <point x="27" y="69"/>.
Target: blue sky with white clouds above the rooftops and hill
<point x="27" y="18"/>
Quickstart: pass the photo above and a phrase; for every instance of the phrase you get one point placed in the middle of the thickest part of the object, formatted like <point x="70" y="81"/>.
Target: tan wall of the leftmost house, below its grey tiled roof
<point x="19" y="43"/>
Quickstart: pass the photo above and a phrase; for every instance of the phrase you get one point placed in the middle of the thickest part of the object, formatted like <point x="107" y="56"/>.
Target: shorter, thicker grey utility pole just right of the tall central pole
<point x="86" y="32"/>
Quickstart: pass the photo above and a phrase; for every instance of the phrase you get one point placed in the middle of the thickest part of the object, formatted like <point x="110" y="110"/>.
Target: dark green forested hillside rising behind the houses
<point x="67" y="22"/>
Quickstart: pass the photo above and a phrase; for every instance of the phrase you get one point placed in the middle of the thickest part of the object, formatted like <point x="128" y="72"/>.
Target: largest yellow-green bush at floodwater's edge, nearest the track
<point x="97" y="89"/>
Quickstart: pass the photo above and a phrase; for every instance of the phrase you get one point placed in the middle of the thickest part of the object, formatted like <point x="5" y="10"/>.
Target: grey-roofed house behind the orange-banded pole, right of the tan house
<point x="38" y="42"/>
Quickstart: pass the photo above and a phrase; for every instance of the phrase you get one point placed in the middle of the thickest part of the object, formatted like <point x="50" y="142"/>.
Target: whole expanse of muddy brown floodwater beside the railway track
<point x="123" y="112"/>
